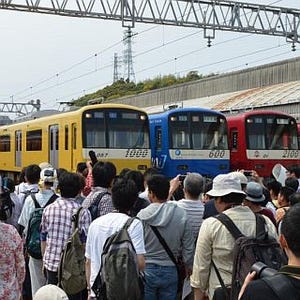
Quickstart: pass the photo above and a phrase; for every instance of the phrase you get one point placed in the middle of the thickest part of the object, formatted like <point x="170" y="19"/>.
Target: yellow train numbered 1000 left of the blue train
<point x="117" y="133"/>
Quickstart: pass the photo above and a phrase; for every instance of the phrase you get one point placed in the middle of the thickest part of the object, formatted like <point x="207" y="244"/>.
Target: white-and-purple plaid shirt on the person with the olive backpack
<point x="56" y="228"/>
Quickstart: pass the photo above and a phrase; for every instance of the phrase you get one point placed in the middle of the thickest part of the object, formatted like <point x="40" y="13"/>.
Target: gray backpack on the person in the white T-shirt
<point x="119" y="278"/>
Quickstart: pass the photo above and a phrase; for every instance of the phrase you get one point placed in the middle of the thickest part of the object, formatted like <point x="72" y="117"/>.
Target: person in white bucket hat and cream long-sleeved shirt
<point x="215" y="243"/>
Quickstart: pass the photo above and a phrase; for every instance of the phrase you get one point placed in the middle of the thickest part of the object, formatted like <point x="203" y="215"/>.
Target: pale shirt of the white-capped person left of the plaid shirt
<point x="42" y="198"/>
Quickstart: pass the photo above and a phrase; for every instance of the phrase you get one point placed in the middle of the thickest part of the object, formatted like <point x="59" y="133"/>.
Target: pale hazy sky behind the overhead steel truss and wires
<point x="59" y="59"/>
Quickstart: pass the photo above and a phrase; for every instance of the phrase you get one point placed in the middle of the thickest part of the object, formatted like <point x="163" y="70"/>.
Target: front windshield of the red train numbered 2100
<point x="271" y="132"/>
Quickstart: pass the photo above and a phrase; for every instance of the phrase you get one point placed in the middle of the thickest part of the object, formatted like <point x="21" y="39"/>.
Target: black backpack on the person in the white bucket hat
<point x="247" y="251"/>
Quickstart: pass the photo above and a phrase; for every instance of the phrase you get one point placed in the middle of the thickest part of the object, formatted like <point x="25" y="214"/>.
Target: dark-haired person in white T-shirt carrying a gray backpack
<point x="124" y="194"/>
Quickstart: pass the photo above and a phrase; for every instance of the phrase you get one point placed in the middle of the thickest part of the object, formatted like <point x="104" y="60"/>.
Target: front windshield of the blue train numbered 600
<point x="199" y="131"/>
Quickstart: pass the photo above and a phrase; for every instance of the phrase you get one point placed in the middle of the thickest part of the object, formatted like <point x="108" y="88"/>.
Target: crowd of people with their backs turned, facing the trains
<point x="179" y="211"/>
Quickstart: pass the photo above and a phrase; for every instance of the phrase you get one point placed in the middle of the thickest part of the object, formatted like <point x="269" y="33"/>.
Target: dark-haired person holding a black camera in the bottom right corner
<point x="285" y="284"/>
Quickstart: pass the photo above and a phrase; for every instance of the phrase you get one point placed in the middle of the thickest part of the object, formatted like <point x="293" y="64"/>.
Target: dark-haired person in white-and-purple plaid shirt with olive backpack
<point x="56" y="225"/>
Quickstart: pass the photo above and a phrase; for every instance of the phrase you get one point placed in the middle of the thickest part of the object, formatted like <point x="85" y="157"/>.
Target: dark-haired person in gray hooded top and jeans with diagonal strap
<point x="173" y="225"/>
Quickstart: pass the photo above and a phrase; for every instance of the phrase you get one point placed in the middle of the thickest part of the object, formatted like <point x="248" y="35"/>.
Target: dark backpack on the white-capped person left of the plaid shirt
<point x="33" y="242"/>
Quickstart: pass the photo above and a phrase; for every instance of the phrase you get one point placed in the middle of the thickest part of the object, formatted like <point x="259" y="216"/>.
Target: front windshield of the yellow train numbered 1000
<point x="116" y="129"/>
